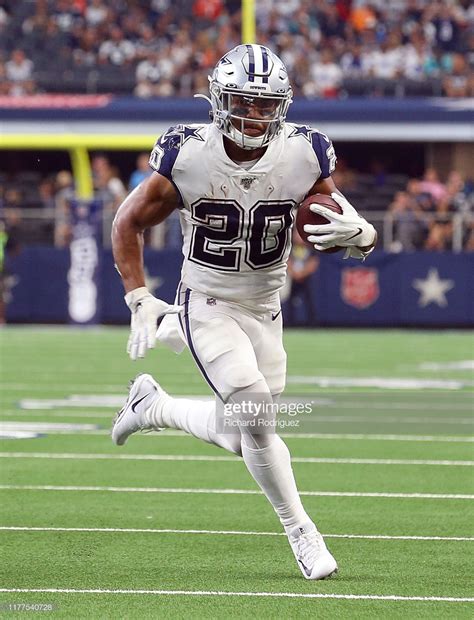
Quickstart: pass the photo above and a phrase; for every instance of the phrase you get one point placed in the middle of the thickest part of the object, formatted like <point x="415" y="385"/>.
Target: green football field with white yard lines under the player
<point x="167" y="526"/>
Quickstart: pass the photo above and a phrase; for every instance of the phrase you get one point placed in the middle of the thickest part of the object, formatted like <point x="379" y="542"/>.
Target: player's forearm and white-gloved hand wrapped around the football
<point x="346" y="230"/>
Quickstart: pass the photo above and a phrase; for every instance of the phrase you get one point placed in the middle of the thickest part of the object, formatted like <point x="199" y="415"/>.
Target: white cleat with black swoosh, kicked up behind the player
<point x="144" y="391"/>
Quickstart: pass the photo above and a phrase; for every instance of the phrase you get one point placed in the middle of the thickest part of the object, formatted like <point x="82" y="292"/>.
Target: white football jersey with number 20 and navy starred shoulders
<point x="237" y="223"/>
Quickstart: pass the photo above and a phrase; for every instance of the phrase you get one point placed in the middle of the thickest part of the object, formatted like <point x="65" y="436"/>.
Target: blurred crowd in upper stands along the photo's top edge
<point x="167" y="47"/>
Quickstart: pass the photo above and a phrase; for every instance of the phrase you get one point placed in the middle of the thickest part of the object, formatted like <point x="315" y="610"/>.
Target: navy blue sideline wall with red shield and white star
<point x="419" y="289"/>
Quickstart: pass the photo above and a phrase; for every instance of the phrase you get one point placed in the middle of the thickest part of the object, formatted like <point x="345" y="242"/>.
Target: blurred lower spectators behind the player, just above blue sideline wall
<point x="419" y="213"/>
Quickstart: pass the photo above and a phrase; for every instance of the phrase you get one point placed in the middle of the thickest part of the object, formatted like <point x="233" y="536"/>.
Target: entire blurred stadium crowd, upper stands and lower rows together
<point x="168" y="47"/>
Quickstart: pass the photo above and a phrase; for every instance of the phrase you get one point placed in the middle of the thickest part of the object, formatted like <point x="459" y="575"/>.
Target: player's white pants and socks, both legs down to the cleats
<point x="240" y="354"/>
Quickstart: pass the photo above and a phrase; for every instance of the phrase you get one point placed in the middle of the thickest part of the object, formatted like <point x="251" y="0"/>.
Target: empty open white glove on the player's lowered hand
<point x="146" y="310"/>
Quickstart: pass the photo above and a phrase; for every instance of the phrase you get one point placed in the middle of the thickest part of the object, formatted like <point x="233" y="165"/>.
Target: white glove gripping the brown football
<point x="346" y="229"/>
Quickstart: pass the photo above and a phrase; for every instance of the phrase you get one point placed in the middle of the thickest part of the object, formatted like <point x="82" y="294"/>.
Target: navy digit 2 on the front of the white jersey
<point x="220" y="224"/>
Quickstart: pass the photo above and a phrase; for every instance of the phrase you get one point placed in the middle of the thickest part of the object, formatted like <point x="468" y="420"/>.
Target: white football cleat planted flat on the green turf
<point x="311" y="553"/>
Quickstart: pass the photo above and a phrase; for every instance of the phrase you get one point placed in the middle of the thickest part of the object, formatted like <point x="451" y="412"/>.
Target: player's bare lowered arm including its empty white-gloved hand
<point x="148" y="205"/>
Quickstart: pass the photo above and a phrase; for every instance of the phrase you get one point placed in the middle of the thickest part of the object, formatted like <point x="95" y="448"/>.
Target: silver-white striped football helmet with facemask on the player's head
<point x="250" y="95"/>
